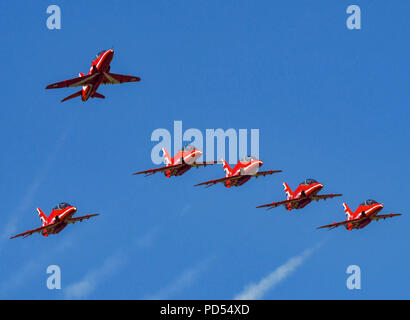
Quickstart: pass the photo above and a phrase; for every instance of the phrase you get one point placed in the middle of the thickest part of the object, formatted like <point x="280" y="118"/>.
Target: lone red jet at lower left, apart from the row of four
<point x="56" y="221"/>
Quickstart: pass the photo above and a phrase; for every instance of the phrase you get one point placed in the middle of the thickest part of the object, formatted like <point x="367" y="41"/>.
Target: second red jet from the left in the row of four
<point x="241" y="173"/>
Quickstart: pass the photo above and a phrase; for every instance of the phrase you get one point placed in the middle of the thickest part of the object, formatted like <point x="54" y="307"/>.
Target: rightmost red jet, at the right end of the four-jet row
<point x="364" y="214"/>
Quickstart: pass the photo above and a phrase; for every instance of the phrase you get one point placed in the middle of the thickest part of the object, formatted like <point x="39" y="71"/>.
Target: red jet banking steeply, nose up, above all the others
<point x="98" y="74"/>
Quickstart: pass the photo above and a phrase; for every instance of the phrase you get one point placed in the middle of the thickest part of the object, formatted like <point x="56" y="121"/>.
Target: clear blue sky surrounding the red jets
<point x="331" y="104"/>
